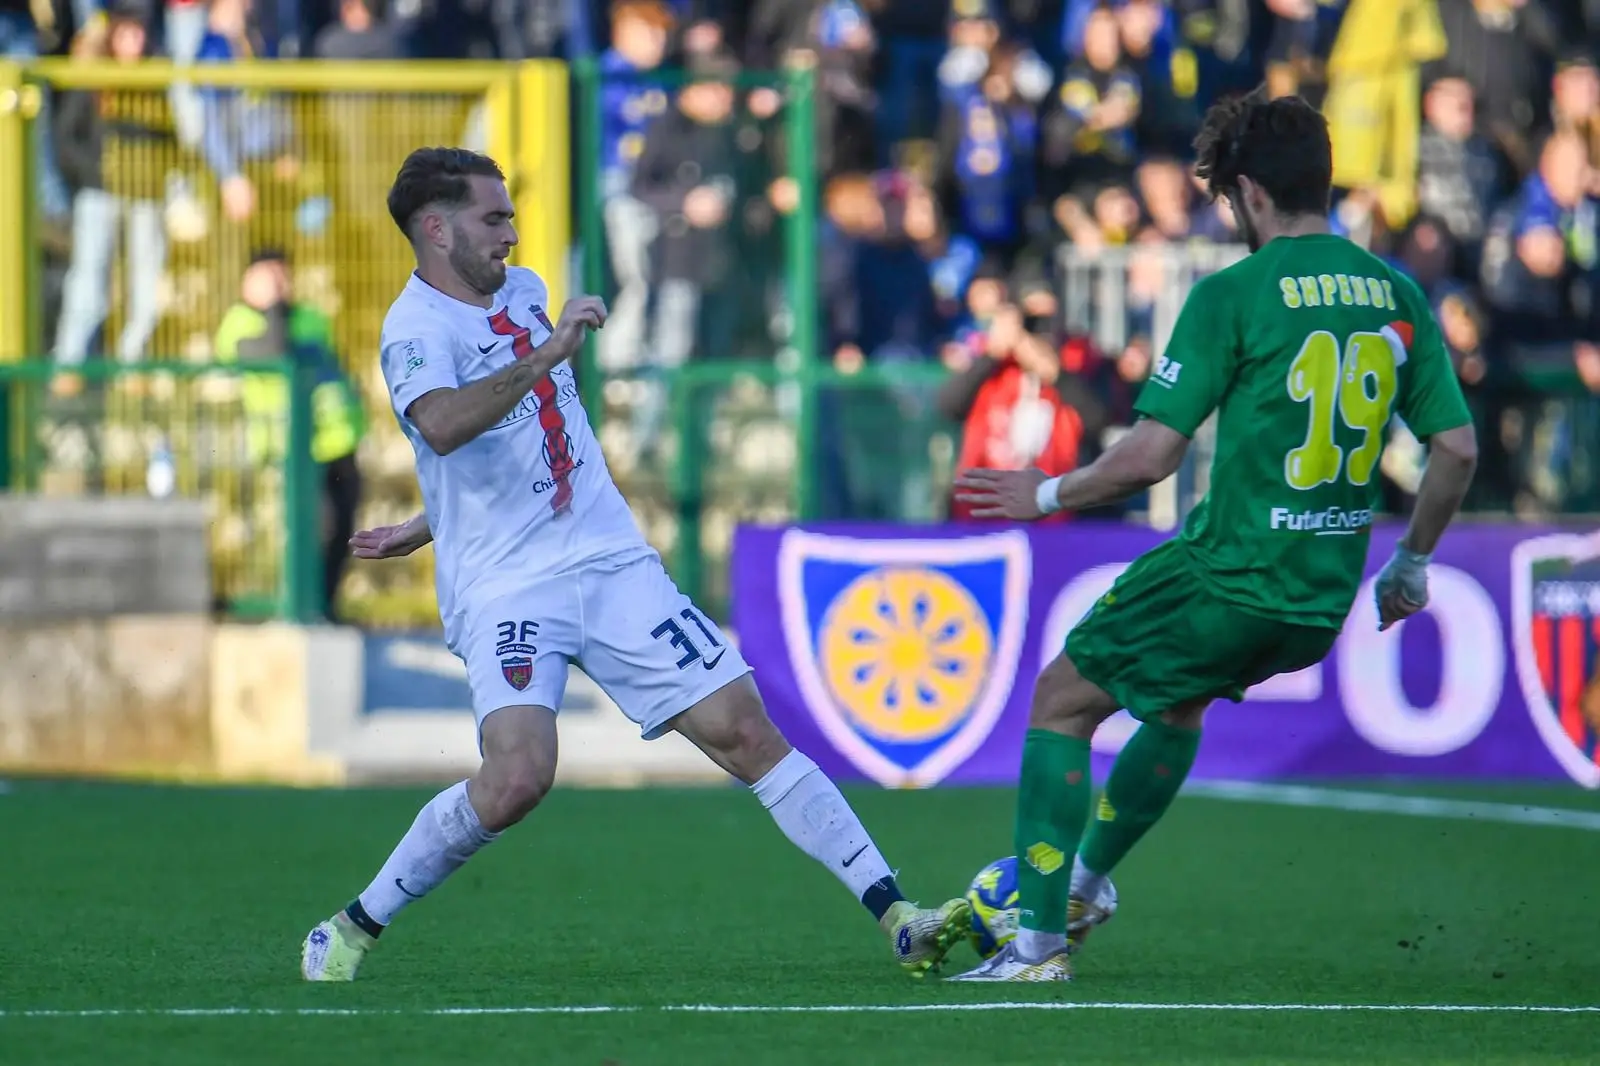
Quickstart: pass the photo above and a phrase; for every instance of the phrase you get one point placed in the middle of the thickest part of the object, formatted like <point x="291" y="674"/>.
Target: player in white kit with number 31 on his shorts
<point x="540" y="564"/>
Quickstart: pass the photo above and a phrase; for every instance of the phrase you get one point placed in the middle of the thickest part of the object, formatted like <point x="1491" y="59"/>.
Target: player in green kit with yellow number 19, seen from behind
<point x="1306" y="350"/>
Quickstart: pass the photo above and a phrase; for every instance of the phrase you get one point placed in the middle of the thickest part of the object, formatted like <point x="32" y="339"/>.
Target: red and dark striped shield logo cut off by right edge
<point x="1556" y="633"/>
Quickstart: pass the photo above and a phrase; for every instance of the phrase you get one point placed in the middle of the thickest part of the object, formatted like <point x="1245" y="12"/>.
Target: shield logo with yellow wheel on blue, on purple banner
<point x="905" y="651"/>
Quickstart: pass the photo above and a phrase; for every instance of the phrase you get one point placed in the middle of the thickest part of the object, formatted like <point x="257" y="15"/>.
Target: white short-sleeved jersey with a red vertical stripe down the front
<point x="529" y="499"/>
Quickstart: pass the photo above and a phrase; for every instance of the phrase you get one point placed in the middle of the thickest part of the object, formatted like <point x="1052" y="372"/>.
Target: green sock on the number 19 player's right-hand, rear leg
<point x="1142" y="787"/>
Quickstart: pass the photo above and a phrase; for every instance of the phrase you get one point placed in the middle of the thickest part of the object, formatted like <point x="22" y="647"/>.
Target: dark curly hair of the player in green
<point x="1282" y="145"/>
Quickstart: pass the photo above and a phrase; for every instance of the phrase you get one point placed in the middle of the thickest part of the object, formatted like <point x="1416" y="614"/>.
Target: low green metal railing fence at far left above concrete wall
<point x="183" y="431"/>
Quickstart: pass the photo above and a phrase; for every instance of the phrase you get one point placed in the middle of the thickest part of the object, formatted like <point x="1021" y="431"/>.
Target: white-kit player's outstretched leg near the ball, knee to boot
<point x="732" y="727"/>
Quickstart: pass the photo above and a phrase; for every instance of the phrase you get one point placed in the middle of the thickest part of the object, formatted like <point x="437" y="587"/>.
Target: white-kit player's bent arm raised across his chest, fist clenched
<point x="449" y="419"/>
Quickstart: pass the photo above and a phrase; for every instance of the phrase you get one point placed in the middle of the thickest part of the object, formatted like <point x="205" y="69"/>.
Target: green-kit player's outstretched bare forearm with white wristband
<point x="1148" y="455"/>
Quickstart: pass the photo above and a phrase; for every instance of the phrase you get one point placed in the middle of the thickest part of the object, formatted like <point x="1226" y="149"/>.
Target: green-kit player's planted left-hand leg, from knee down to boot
<point x="1052" y="809"/>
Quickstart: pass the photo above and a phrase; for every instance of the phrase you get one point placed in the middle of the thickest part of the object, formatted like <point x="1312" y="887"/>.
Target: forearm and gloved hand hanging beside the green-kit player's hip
<point x="1402" y="585"/>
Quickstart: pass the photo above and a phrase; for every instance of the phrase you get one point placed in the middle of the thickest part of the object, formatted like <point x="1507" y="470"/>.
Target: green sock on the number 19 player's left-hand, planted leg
<point x="1052" y="806"/>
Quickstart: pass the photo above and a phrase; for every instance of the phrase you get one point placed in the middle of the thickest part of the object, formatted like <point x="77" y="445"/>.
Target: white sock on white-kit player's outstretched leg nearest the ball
<point x="815" y="817"/>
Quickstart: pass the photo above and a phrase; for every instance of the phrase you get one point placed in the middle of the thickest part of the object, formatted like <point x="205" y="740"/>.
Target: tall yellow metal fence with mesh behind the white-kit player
<point x="335" y="134"/>
